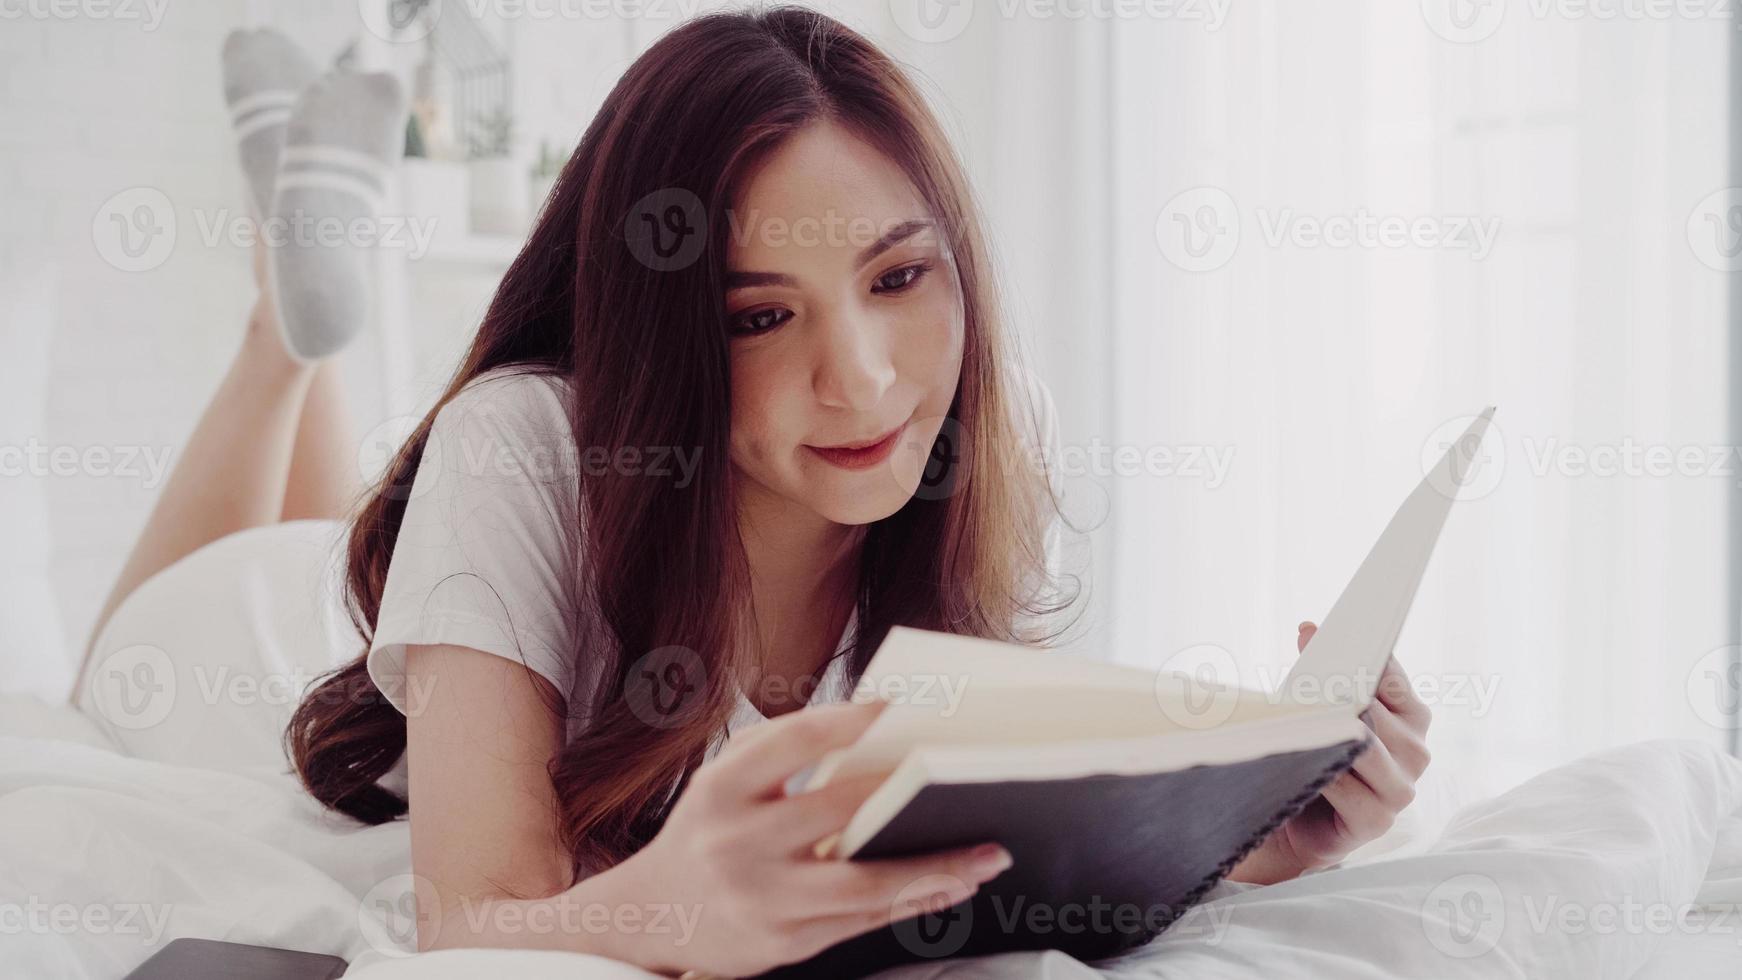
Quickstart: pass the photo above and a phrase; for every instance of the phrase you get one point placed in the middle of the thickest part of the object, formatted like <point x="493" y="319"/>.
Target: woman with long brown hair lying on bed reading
<point x="764" y="265"/>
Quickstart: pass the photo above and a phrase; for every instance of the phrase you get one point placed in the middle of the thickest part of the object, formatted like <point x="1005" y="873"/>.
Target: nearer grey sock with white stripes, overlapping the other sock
<point x="342" y="142"/>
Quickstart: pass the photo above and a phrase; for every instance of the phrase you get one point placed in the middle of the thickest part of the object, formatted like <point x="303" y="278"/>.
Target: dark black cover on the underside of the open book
<point x="1102" y="864"/>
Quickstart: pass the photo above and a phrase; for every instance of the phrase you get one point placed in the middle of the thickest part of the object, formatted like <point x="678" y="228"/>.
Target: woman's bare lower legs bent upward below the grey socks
<point x="236" y="466"/>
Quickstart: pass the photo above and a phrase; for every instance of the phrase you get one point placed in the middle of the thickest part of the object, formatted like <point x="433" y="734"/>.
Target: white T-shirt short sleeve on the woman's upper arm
<point x="482" y="551"/>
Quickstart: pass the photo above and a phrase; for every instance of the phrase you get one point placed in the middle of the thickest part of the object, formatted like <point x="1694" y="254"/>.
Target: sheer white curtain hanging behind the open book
<point x="1433" y="215"/>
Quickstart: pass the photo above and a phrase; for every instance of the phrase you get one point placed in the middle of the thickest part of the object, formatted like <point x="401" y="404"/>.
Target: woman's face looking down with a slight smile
<point x="846" y="328"/>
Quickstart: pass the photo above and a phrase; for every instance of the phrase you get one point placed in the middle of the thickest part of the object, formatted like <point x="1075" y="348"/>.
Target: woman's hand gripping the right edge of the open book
<point x="1365" y="802"/>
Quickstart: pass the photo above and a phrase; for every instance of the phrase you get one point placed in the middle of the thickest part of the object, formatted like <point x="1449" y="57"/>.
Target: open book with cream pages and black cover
<point x="1123" y="795"/>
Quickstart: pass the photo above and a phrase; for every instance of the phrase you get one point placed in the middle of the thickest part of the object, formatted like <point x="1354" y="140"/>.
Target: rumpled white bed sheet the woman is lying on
<point x="104" y="859"/>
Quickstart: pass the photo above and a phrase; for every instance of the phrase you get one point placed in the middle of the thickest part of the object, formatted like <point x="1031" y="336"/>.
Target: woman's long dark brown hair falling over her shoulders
<point x="645" y="354"/>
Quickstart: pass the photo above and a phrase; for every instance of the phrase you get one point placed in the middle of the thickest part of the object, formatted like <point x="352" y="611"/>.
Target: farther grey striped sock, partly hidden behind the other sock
<point x="264" y="72"/>
